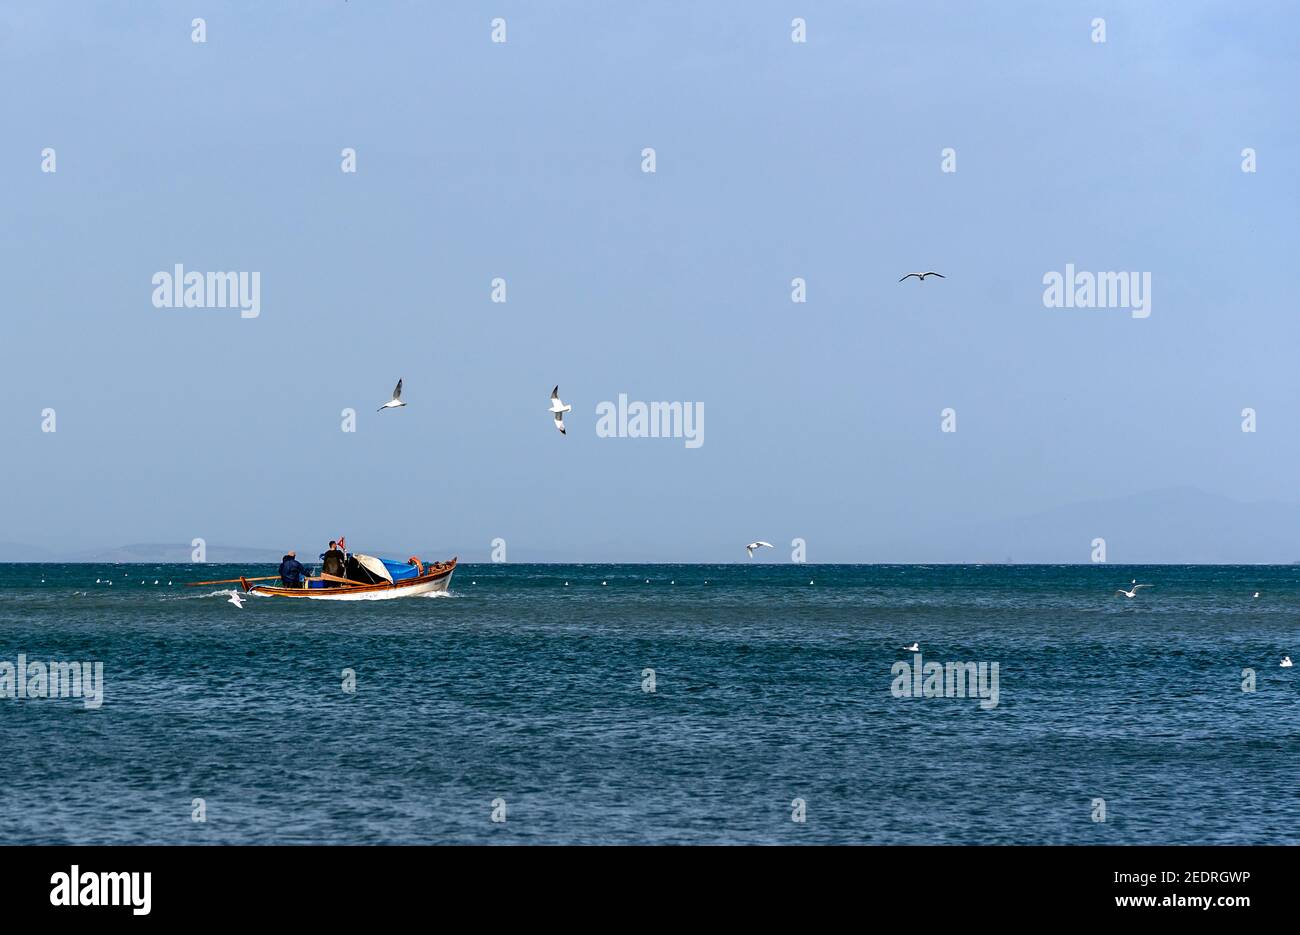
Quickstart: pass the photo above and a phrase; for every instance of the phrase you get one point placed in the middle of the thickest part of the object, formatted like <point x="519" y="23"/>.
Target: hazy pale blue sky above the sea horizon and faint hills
<point x="523" y="161"/>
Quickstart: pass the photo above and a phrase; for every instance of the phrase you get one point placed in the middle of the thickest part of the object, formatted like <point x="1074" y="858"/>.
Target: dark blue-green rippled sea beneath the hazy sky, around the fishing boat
<point x="525" y="695"/>
